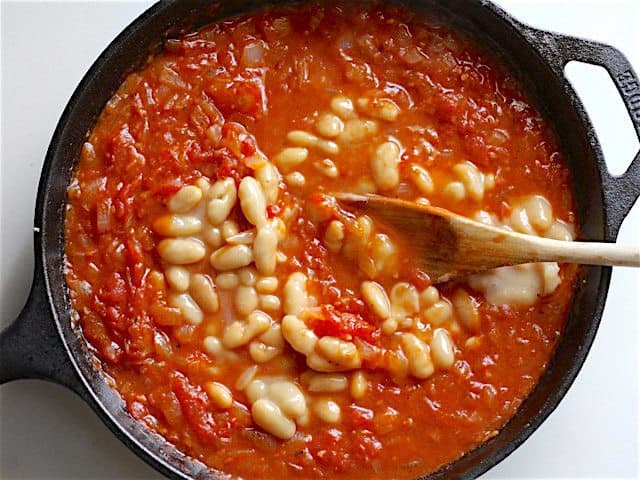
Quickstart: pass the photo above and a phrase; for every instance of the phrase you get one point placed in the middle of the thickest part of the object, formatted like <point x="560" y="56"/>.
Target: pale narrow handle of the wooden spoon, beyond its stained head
<point x="589" y="253"/>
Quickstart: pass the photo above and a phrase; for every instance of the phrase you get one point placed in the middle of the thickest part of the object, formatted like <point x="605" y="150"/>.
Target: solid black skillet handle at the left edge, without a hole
<point x="32" y="348"/>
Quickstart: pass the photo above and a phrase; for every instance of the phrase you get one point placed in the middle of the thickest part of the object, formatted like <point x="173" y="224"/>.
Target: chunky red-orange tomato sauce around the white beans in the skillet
<point x="234" y="89"/>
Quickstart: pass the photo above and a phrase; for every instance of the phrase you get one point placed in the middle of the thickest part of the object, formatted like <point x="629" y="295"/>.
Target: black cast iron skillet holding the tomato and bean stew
<point x="44" y="343"/>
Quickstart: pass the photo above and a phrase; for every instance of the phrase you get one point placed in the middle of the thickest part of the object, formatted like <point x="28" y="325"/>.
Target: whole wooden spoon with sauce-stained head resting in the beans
<point x="449" y="245"/>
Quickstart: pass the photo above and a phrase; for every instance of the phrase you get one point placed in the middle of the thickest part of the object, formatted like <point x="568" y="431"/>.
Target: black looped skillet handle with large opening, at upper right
<point x="622" y="191"/>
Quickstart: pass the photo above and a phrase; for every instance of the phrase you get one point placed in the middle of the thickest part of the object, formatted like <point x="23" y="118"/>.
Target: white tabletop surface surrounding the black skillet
<point x="46" y="432"/>
